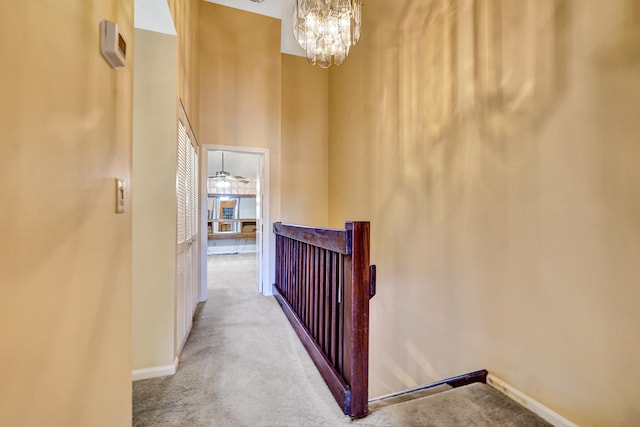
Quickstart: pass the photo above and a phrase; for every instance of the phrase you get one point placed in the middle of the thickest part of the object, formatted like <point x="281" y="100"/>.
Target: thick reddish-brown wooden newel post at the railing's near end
<point x="356" y="304"/>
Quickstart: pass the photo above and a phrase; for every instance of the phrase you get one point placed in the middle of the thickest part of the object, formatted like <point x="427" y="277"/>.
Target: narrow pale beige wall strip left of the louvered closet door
<point x="154" y="200"/>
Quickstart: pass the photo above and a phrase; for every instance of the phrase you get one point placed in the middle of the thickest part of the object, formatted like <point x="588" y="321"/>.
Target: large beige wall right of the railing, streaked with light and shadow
<point x="495" y="152"/>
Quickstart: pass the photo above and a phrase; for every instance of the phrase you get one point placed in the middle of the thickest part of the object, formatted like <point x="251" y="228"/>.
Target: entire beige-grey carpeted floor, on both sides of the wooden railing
<point x="244" y="366"/>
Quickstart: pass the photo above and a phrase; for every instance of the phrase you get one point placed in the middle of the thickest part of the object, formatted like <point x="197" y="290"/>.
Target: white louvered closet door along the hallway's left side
<point x="187" y="283"/>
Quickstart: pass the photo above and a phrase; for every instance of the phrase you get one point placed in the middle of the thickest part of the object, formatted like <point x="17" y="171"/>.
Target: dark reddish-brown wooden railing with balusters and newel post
<point x="324" y="283"/>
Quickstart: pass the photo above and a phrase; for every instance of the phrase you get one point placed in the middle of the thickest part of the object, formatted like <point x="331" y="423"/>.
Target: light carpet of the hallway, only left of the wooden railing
<point x="241" y="366"/>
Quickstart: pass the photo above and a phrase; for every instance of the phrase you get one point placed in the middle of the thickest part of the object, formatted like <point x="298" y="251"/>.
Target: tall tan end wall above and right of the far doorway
<point x="252" y="96"/>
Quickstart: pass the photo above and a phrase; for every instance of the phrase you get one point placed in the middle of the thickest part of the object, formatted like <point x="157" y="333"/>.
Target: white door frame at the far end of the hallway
<point x="263" y="255"/>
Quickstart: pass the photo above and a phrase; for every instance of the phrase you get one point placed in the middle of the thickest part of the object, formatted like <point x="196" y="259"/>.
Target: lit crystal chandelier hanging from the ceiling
<point x="326" y="29"/>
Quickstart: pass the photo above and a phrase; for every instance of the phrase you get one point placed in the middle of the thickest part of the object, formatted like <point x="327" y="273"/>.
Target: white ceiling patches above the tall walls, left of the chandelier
<point x="154" y="15"/>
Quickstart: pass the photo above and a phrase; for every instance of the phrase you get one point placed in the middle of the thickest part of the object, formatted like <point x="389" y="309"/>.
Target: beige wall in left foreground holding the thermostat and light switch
<point x="65" y="261"/>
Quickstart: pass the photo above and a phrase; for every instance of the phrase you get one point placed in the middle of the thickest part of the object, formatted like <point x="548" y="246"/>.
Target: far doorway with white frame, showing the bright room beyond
<point x="234" y="207"/>
